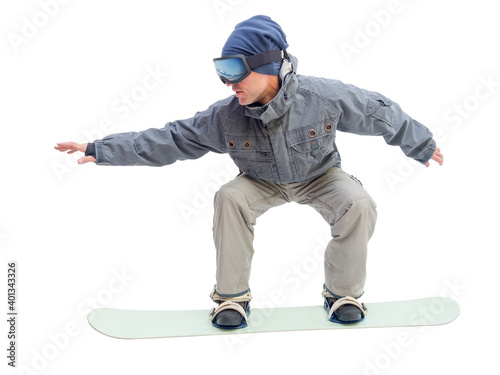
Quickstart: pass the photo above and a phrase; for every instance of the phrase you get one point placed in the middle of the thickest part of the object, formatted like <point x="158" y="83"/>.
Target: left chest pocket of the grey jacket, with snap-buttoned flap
<point x="253" y="156"/>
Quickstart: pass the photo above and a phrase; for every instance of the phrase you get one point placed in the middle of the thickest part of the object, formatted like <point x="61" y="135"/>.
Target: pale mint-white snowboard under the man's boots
<point x="146" y="324"/>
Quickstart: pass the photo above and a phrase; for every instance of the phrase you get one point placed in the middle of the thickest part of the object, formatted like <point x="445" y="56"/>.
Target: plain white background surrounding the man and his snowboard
<point x="65" y="69"/>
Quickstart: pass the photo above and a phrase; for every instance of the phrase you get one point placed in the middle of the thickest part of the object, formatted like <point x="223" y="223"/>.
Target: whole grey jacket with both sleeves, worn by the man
<point x="290" y="139"/>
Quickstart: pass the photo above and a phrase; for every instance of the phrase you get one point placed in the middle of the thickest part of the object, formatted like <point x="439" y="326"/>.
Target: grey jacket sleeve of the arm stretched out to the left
<point x="179" y="140"/>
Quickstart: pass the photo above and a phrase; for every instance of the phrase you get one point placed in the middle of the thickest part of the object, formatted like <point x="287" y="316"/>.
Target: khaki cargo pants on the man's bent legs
<point x="337" y="197"/>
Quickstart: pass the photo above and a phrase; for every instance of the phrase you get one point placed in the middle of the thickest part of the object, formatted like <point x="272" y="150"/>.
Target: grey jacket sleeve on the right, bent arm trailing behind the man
<point x="366" y="112"/>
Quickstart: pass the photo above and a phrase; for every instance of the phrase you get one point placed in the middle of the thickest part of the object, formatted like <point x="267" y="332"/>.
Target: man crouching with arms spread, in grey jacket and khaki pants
<point x="279" y="128"/>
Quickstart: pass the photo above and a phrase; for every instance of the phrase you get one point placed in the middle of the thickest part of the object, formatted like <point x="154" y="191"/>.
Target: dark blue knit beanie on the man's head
<point x="256" y="35"/>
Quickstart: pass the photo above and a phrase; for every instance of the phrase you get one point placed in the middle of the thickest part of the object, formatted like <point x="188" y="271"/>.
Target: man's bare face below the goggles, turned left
<point x="256" y="88"/>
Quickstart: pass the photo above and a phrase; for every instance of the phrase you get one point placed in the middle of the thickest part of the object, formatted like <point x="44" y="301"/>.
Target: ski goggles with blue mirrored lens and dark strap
<point x="234" y="69"/>
